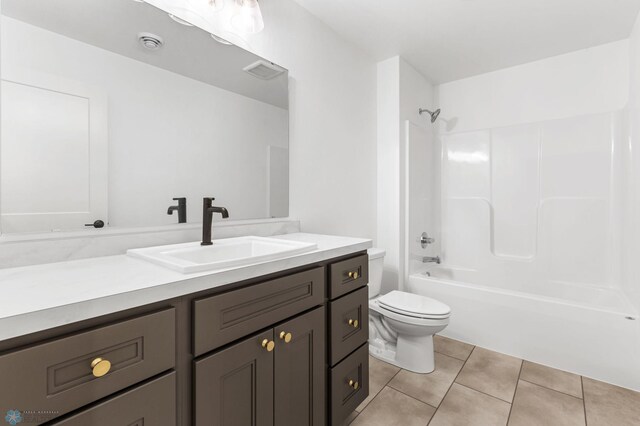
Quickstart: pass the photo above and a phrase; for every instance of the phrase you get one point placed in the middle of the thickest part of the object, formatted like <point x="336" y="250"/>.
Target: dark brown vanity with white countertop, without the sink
<point x="277" y="343"/>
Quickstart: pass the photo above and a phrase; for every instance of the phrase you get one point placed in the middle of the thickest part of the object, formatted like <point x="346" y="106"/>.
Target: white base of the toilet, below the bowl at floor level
<point x="416" y="354"/>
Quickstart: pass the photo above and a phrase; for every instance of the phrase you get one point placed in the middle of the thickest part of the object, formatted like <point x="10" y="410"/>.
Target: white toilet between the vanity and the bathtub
<point x="402" y="325"/>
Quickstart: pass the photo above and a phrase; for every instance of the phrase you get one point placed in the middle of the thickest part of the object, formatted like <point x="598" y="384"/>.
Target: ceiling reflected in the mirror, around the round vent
<point x="114" y="25"/>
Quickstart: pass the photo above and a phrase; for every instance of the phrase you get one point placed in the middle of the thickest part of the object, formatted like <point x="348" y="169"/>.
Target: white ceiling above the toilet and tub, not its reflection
<point x="451" y="39"/>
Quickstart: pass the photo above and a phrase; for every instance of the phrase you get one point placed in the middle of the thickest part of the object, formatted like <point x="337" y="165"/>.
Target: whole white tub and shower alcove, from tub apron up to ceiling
<point x="533" y="186"/>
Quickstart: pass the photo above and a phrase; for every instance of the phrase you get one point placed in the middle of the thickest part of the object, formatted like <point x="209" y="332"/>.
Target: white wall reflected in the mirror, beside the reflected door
<point x="169" y="136"/>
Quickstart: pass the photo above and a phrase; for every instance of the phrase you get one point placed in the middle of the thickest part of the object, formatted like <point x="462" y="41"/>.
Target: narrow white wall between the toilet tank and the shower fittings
<point x="402" y="91"/>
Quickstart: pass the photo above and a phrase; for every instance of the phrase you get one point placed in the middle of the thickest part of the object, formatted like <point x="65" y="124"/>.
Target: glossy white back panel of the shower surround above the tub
<point x="535" y="203"/>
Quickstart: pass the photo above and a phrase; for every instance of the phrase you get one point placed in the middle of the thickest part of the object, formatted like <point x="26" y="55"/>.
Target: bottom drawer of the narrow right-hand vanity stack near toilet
<point x="349" y="384"/>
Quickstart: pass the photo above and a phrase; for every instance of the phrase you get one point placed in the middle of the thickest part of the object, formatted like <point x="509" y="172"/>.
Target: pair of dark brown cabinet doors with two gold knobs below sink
<point x="276" y="377"/>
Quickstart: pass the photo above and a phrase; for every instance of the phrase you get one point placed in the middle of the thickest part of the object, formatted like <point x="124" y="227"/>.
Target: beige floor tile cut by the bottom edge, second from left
<point x="465" y="407"/>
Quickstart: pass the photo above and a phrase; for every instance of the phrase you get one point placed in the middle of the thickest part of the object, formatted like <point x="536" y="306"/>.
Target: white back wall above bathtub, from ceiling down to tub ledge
<point x="530" y="173"/>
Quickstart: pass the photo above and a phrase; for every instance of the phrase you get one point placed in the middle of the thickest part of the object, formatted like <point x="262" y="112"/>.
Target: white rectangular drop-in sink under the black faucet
<point x="226" y="253"/>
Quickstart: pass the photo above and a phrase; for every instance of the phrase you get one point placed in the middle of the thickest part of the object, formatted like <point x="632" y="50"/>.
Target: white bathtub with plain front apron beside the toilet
<point x="587" y="330"/>
